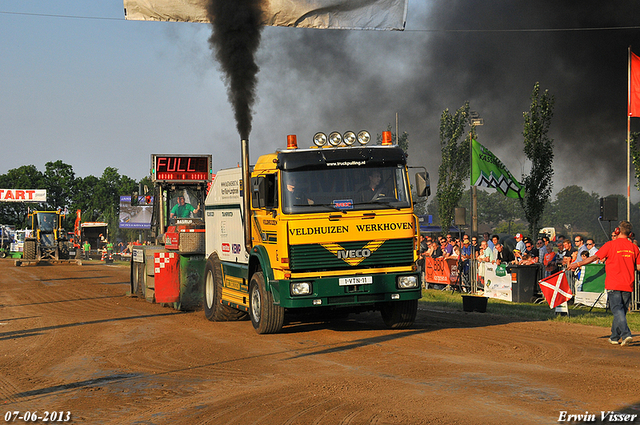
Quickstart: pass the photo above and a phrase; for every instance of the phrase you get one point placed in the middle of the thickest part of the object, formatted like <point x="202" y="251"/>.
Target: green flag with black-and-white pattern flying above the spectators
<point x="488" y="171"/>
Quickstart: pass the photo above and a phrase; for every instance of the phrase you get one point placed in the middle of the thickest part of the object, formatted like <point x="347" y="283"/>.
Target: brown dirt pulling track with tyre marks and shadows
<point x="72" y="340"/>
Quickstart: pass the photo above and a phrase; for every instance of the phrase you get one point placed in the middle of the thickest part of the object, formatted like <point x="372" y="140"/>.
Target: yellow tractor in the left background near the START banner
<point x="48" y="240"/>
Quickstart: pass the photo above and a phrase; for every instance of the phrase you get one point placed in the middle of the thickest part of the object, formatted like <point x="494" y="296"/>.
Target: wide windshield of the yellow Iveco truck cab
<point x="344" y="189"/>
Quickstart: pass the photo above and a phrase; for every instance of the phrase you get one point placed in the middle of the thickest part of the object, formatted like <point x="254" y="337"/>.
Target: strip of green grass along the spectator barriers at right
<point x="447" y="300"/>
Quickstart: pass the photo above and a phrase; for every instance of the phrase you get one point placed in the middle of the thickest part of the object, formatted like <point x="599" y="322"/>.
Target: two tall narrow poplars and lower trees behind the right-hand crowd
<point x="574" y="211"/>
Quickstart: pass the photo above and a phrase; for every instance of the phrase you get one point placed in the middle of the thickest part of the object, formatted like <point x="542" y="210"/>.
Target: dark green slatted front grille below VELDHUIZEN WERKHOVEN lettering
<point x="314" y="257"/>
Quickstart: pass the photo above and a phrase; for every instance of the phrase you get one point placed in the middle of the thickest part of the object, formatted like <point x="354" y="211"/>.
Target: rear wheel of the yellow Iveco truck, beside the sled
<point x="214" y="310"/>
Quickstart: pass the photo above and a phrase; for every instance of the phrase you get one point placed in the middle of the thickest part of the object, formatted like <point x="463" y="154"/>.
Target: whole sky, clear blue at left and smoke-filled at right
<point x="79" y="83"/>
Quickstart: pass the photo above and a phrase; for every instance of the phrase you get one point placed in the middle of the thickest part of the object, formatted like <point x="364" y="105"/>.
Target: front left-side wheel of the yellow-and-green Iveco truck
<point x="266" y="317"/>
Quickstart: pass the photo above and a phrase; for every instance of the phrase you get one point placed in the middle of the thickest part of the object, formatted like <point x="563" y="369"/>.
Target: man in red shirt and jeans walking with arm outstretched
<point x="622" y="260"/>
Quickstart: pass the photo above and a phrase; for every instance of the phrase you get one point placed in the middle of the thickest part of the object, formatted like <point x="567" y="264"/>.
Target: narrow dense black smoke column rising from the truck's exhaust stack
<point x="236" y="36"/>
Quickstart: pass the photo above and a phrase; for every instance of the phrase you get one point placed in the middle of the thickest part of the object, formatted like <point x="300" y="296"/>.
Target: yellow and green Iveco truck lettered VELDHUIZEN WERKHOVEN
<point x="327" y="229"/>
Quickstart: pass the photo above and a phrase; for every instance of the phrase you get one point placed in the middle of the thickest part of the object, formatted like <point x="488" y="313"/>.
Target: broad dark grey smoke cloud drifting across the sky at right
<point x="490" y="53"/>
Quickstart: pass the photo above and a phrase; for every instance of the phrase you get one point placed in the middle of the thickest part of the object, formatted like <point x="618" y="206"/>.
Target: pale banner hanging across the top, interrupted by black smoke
<point x="335" y="14"/>
